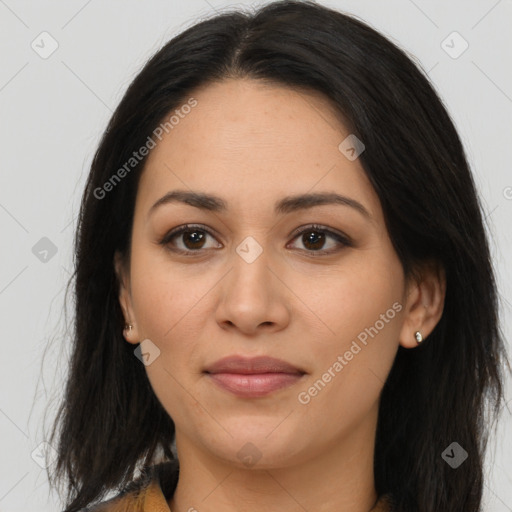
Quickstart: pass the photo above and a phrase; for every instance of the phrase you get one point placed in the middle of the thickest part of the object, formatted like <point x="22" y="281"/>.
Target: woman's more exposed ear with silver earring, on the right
<point x="424" y="303"/>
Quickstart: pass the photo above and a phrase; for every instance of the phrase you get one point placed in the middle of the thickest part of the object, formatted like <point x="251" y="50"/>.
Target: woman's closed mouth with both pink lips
<point x="253" y="377"/>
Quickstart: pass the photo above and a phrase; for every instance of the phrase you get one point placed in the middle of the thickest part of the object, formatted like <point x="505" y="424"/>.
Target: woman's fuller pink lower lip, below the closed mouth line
<point x="254" y="385"/>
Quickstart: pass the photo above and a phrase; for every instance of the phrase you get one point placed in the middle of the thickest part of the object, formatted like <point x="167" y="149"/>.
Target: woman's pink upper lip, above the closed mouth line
<point x="252" y="365"/>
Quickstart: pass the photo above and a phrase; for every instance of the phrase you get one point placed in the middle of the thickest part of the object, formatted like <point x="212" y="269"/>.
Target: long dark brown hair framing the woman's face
<point x="111" y="425"/>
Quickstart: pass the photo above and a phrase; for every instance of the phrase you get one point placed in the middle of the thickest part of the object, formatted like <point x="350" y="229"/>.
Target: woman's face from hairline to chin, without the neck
<point x="258" y="272"/>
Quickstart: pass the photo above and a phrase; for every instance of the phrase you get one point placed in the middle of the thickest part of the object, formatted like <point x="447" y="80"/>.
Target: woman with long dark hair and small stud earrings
<point x="281" y="266"/>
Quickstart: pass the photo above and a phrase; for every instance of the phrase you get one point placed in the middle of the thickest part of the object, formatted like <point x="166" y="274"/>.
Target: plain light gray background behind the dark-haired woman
<point x="54" y="109"/>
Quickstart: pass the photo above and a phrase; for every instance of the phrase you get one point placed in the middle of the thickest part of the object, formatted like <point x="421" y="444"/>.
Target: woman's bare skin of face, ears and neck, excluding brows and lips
<point x="253" y="144"/>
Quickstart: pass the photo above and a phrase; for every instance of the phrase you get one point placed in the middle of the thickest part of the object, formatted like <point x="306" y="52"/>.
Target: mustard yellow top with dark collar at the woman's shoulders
<point x="152" y="491"/>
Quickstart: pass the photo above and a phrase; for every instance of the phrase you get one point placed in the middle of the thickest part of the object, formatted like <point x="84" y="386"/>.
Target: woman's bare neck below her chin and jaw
<point x="338" y="478"/>
